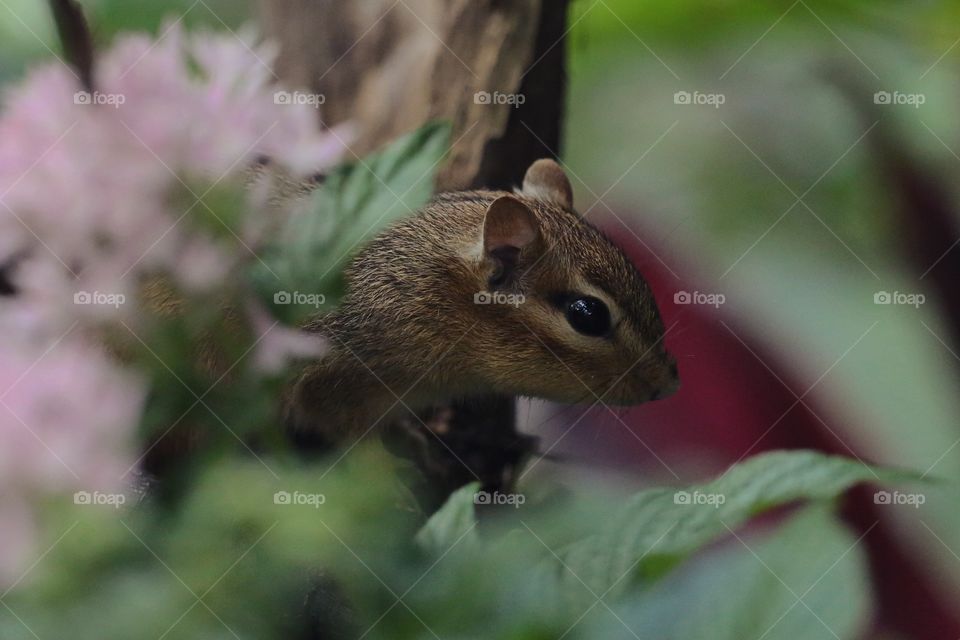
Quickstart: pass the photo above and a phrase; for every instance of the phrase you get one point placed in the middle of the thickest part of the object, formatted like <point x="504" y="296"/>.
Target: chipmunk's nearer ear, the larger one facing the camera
<point x="509" y="227"/>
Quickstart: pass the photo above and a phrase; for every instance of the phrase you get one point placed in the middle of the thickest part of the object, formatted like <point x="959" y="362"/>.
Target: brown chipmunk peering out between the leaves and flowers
<point x="485" y="292"/>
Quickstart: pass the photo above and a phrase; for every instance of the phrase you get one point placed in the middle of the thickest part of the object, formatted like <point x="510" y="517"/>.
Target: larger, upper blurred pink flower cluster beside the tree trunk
<point x="87" y="181"/>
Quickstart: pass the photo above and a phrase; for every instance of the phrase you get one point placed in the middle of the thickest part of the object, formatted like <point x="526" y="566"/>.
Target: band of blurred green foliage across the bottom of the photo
<point x="235" y="549"/>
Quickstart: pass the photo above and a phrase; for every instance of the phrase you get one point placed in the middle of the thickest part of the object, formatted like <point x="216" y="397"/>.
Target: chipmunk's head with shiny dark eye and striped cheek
<point x="573" y="320"/>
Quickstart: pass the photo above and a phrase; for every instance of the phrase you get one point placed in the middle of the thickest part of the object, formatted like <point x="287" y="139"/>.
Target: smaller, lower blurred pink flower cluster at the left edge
<point x="67" y="417"/>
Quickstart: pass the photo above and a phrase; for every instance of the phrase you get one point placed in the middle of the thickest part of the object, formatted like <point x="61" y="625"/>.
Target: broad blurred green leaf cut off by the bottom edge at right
<point x="806" y="581"/>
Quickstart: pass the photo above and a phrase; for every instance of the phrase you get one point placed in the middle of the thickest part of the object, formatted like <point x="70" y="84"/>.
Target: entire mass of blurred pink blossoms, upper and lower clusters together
<point x="97" y="189"/>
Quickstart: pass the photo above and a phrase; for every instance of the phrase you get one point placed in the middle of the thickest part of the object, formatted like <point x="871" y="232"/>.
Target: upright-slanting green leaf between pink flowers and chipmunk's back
<point x="354" y="204"/>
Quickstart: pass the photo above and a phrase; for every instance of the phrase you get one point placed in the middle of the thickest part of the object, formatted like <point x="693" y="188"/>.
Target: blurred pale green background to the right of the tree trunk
<point x="715" y="187"/>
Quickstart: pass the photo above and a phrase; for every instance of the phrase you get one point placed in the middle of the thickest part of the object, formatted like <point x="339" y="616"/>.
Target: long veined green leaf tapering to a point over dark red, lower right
<point x="658" y="528"/>
